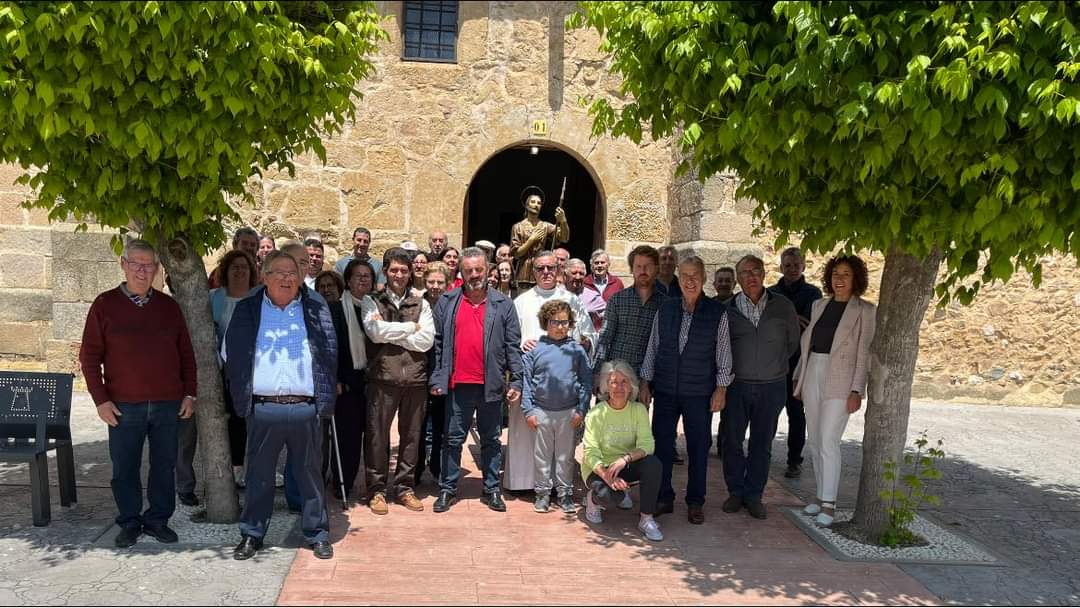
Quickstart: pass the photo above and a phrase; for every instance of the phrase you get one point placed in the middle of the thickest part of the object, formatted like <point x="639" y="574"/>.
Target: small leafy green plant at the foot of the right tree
<point x="908" y="491"/>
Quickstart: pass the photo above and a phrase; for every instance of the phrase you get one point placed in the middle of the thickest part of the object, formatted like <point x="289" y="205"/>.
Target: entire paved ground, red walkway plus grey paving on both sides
<point x="1011" y="483"/>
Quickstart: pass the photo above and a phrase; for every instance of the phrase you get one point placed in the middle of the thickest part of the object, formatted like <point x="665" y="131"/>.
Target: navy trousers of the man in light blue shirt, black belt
<point x="294" y="427"/>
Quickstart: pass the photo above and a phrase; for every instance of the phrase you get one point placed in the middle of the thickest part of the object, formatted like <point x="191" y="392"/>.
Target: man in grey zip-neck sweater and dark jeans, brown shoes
<point x="765" y="332"/>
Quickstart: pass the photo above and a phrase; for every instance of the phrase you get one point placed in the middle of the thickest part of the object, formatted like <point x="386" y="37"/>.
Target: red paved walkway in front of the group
<point x="472" y="556"/>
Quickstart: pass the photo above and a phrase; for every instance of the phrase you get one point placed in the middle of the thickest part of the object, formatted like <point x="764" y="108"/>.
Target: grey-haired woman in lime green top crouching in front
<point x="618" y="450"/>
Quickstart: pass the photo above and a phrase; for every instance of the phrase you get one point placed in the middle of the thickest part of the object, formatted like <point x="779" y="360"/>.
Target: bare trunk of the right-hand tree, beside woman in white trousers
<point x="907" y="288"/>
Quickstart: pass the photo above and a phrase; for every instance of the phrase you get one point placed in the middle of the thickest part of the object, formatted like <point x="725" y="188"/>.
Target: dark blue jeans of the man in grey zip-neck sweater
<point x="759" y="408"/>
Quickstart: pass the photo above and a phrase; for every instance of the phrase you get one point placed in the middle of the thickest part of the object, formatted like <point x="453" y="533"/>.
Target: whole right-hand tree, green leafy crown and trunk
<point x="929" y="131"/>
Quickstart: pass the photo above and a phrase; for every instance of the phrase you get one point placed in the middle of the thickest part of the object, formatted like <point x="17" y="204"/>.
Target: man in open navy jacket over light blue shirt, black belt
<point x="281" y="368"/>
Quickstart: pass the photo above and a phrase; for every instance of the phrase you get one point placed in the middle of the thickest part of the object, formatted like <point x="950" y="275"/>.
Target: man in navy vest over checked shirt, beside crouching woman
<point x="687" y="369"/>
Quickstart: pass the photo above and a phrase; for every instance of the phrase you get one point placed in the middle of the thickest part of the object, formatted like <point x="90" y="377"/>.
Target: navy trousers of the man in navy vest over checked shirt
<point x="698" y="427"/>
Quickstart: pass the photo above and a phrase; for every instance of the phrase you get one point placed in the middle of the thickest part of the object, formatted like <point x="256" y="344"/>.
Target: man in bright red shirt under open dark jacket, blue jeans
<point x="475" y="377"/>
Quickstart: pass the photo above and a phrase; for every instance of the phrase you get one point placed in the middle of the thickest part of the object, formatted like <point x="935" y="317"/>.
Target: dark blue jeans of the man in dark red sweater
<point x="157" y="421"/>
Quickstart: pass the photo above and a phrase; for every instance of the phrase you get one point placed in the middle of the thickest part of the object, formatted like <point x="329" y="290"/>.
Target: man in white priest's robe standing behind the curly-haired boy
<point x="519" y="474"/>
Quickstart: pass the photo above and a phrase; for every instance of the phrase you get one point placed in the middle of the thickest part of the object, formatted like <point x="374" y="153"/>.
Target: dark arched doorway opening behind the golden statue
<point x="493" y="202"/>
